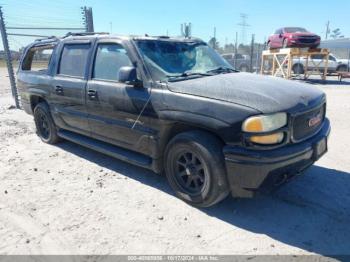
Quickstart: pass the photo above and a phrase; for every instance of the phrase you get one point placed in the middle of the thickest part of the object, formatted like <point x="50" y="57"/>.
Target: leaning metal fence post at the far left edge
<point x="8" y="59"/>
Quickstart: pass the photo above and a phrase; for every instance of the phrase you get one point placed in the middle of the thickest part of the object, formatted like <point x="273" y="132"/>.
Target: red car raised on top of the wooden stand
<point x="293" y="37"/>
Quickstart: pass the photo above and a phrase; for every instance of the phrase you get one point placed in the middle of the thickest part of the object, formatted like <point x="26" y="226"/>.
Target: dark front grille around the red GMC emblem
<point x="301" y="123"/>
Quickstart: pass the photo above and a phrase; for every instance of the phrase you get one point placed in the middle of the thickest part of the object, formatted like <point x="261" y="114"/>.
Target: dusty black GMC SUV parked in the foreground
<point x="173" y="105"/>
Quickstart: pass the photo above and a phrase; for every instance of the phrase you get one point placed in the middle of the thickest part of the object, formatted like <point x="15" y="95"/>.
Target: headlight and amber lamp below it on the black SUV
<point x="265" y="123"/>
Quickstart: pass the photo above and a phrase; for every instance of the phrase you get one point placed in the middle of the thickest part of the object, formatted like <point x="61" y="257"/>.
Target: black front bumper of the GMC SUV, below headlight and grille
<point x="250" y="170"/>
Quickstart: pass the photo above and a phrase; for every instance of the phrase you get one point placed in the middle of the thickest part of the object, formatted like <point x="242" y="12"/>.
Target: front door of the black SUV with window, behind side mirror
<point x="114" y="107"/>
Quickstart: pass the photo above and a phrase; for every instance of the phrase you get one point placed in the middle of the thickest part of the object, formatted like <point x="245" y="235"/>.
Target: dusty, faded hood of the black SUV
<point x="263" y="93"/>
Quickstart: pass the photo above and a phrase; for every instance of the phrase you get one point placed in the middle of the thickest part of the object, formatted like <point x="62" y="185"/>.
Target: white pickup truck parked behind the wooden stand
<point x="319" y="62"/>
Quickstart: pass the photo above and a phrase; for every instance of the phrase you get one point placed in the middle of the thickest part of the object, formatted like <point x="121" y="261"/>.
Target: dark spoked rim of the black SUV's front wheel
<point x="190" y="172"/>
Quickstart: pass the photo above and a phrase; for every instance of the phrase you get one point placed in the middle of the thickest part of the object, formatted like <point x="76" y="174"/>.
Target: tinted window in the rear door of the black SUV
<point x="74" y="59"/>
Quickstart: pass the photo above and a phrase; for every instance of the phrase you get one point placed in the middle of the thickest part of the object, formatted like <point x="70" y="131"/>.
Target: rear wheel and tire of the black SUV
<point x="46" y="128"/>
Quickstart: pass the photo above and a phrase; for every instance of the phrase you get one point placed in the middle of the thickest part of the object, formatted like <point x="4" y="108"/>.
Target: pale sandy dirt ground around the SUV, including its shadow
<point x="66" y="199"/>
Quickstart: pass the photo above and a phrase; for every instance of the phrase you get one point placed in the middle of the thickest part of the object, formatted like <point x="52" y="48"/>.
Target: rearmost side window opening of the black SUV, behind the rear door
<point x="37" y="59"/>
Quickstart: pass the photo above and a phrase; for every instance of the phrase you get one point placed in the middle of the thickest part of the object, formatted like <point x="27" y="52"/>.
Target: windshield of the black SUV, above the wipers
<point x="169" y="60"/>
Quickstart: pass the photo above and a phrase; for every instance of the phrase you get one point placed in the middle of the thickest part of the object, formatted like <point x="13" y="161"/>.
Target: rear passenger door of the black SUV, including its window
<point x="68" y="86"/>
